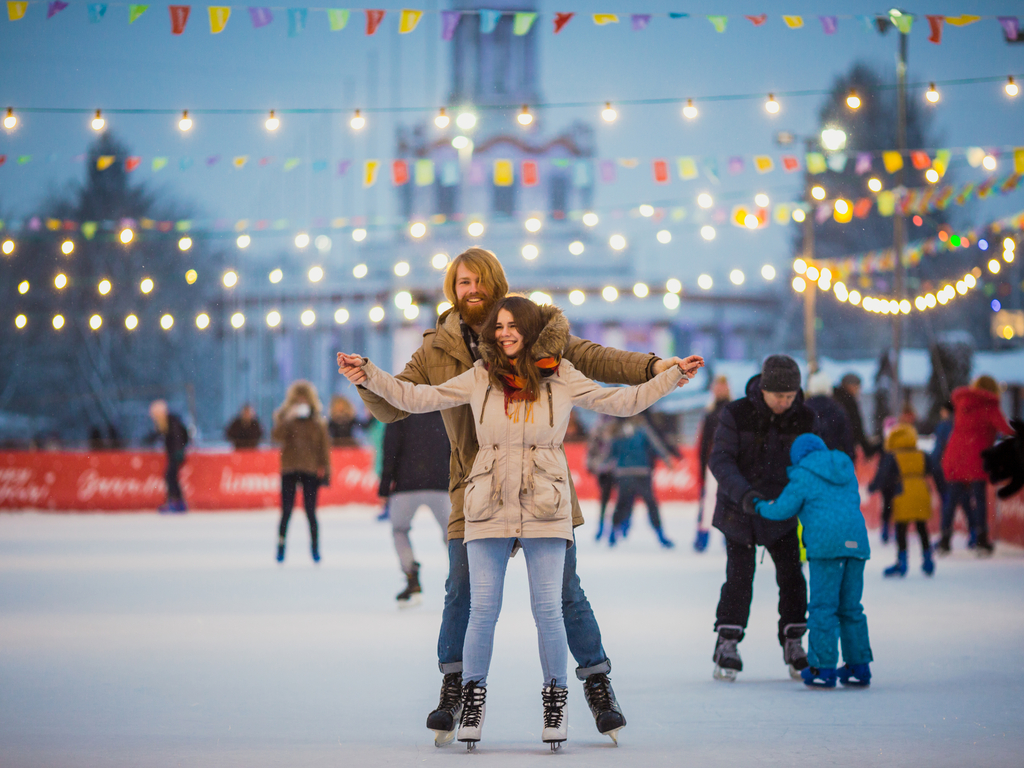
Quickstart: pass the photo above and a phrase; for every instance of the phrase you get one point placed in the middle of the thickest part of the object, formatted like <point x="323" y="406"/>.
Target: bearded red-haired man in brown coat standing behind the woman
<point x="474" y="283"/>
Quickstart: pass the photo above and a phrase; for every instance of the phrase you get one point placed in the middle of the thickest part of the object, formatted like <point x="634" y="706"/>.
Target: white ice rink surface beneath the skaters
<point x="148" y="641"/>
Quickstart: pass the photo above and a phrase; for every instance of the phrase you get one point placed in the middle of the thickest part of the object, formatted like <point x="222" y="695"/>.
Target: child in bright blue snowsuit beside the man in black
<point x="823" y="492"/>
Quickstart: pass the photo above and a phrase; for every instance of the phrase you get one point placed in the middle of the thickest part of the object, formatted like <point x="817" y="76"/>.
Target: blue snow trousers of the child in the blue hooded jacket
<point x="835" y="613"/>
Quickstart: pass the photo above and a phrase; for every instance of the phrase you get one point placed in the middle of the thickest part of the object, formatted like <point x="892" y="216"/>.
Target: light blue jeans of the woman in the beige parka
<point x="488" y="563"/>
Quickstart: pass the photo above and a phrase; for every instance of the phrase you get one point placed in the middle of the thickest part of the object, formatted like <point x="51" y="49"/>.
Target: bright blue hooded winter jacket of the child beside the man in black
<point x="823" y="492"/>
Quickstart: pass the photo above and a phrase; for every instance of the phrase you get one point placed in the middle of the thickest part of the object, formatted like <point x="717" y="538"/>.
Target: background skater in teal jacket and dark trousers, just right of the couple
<point x="633" y="454"/>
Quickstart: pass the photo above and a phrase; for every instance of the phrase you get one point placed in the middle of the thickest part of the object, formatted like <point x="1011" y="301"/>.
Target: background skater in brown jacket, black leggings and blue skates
<point x="306" y="458"/>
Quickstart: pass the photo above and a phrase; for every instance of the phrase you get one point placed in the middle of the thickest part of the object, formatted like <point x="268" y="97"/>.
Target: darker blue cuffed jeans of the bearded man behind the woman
<point x="581" y="627"/>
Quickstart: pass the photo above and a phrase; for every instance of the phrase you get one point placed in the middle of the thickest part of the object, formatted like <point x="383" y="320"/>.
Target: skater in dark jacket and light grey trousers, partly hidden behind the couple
<point x="414" y="474"/>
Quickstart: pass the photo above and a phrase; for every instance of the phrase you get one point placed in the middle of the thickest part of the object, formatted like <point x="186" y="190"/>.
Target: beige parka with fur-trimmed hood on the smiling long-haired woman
<point x="519" y="486"/>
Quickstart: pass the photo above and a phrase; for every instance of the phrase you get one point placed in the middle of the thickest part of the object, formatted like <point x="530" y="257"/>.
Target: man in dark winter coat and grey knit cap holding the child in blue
<point x="750" y="459"/>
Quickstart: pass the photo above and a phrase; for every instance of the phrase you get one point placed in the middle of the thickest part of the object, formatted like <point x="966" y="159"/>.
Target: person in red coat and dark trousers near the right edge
<point x="977" y="422"/>
